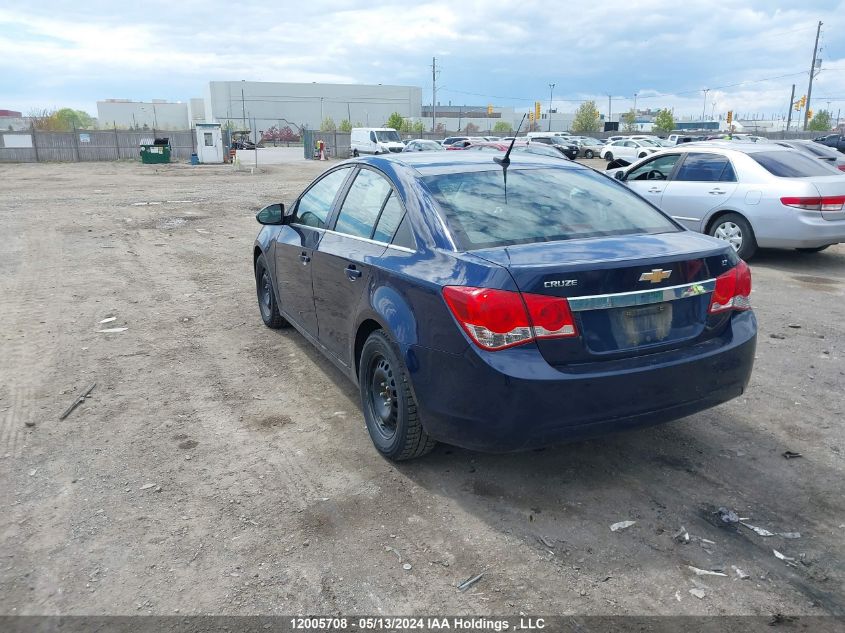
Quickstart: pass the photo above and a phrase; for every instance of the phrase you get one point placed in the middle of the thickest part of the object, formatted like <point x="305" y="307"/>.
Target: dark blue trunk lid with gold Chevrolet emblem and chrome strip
<point x="628" y="294"/>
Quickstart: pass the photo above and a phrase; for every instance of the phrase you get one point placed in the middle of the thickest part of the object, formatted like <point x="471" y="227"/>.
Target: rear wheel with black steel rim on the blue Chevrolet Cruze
<point x="390" y="410"/>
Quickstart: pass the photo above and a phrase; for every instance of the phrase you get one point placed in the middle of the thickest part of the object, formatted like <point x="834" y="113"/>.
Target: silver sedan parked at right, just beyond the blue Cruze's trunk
<point x="750" y="195"/>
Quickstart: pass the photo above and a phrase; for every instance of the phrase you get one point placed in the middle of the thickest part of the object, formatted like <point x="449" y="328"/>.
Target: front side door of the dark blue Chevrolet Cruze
<point x="295" y="246"/>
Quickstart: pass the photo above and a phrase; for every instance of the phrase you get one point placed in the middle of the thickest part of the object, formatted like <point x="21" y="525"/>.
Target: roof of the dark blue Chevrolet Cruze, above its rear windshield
<point x="452" y="162"/>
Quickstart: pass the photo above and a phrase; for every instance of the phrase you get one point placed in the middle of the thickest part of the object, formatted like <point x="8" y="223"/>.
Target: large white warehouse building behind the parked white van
<point x="260" y="105"/>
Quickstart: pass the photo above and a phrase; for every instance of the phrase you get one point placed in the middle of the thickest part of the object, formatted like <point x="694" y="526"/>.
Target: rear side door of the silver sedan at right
<point x="701" y="183"/>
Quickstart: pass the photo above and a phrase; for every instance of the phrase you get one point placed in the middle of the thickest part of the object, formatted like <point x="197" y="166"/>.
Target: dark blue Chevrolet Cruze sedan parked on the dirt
<point x="501" y="309"/>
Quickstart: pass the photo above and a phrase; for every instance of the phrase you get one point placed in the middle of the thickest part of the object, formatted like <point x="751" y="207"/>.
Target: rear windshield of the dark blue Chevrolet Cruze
<point x="542" y="205"/>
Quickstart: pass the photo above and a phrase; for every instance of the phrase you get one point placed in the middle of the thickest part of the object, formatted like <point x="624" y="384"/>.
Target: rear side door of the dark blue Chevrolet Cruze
<point x="365" y="223"/>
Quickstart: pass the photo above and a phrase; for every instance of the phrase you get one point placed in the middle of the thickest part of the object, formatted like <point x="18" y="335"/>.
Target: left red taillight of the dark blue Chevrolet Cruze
<point x="497" y="319"/>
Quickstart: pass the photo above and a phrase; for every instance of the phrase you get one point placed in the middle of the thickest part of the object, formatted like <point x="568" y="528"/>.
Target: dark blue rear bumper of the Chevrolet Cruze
<point x="514" y="400"/>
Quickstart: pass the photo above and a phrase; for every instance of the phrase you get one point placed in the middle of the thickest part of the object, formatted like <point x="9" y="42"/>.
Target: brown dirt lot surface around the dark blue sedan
<point x="267" y="496"/>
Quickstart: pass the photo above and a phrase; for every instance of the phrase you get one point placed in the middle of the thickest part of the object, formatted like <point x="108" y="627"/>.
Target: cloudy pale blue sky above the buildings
<point x="748" y="52"/>
